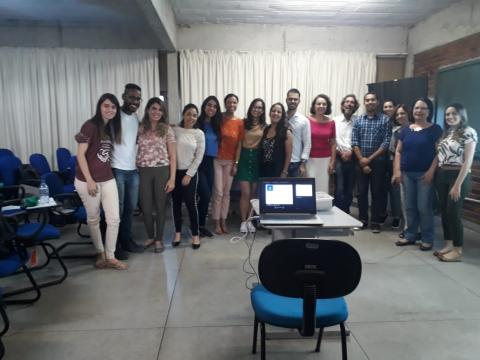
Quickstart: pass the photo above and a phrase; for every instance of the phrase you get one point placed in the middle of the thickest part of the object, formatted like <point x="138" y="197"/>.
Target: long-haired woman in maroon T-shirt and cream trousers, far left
<point x="94" y="178"/>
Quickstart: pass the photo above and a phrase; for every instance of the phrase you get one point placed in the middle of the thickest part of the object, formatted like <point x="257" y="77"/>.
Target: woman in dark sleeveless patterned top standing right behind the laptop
<point x="276" y="144"/>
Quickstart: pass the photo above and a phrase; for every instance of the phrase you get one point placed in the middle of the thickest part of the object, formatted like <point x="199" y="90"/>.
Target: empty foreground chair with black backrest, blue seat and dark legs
<point x="303" y="282"/>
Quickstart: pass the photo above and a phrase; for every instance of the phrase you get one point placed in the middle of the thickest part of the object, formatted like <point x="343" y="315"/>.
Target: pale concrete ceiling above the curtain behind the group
<point x="307" y="12"/>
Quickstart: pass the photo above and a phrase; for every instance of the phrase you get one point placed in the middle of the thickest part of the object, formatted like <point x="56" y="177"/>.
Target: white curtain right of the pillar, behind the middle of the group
<point x="269" y="75"/>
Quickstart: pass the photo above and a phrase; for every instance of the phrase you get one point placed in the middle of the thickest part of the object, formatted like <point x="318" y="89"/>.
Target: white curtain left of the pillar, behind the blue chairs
<point x="47" y="94"/>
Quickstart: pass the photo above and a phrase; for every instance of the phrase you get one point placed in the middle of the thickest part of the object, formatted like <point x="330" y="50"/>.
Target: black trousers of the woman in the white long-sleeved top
<point x="187" y="194"/>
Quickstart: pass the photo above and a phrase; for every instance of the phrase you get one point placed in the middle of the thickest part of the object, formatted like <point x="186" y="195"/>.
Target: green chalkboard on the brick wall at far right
<point x="461" y="84"/>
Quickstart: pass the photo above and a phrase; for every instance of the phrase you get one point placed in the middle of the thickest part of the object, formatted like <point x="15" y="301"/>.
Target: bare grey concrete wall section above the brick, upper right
<point x="455" y="22"/>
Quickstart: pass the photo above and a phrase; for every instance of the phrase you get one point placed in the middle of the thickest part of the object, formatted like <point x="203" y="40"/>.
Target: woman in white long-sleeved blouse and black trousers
<point x="190" y="150"/>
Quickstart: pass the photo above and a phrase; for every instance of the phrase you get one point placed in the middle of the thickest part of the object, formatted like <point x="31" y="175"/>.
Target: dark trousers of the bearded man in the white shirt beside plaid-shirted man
<point x="344" y="180"/>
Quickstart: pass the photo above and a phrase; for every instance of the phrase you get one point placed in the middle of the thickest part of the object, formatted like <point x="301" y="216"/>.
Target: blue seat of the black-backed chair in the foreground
<point x="288" y="312"/>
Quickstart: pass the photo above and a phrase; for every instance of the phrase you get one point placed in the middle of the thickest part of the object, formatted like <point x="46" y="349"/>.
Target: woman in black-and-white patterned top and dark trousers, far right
<point x="455" y="156"/>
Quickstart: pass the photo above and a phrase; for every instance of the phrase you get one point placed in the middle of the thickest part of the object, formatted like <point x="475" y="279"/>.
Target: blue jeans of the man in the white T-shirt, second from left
<point x="128" y="182"/>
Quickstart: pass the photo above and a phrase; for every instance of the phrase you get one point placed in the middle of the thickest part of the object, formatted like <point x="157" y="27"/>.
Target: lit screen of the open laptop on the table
<point x="287" y="195"/>
